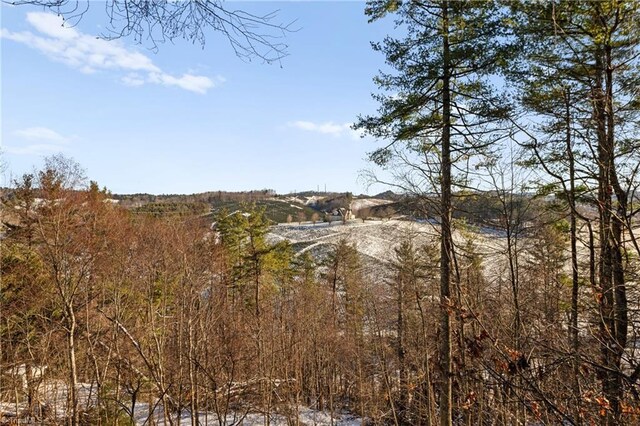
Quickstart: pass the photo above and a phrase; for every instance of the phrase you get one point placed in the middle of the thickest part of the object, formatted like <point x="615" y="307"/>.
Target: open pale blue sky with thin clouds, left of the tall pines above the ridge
<point x="186" y="119"/>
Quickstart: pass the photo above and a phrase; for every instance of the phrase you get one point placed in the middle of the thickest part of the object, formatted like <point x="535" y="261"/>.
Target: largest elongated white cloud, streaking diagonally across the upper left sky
<point x="89" y="54"/>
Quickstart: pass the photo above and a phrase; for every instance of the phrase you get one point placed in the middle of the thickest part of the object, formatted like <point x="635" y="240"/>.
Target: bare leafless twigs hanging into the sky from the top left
<point x="157" y="21"/>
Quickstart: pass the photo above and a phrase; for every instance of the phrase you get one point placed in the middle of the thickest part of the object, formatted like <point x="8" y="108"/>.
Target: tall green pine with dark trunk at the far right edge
<point x="581" y="76"/>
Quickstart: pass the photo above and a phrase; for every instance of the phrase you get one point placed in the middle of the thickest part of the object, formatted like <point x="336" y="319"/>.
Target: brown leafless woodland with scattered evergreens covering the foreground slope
<point x="109" y="314"/>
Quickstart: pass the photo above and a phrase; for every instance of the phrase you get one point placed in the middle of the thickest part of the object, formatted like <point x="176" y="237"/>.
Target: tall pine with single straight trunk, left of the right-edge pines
<point x="435" y="112"/>
